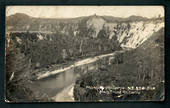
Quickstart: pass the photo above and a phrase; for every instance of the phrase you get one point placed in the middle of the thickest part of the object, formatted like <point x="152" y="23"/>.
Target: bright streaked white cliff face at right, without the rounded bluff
<point x="133" y="34"/>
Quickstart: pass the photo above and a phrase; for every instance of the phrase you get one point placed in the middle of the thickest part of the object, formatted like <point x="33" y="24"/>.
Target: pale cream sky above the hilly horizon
<point x="77" y="11"/>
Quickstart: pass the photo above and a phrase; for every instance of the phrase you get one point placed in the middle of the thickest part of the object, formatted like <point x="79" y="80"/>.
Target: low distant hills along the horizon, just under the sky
<point x="23" y="19"/>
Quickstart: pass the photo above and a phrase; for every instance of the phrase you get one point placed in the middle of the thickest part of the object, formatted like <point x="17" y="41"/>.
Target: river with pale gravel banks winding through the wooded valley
<point x="59" y="84"/>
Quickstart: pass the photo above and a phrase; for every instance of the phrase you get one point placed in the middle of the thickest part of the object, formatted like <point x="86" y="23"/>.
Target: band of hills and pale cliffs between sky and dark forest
<point x="130" y="32"/>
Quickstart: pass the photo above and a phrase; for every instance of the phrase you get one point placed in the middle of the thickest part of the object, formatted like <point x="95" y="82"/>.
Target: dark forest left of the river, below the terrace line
<point x="28" y="52"/>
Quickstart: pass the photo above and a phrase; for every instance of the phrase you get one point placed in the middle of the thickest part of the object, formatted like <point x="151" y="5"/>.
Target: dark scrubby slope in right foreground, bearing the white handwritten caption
<point x="141" y="67"/>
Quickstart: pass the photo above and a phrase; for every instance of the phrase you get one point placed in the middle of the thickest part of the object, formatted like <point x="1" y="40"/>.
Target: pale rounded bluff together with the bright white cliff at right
<point x="129" y="34"/>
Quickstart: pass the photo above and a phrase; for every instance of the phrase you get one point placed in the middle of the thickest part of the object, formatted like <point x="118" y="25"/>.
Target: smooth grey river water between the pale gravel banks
<point x="56" y="83"/>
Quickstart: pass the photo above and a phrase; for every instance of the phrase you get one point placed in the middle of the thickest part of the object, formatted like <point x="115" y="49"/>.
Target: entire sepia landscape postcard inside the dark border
<point x="84" y="53"/>
